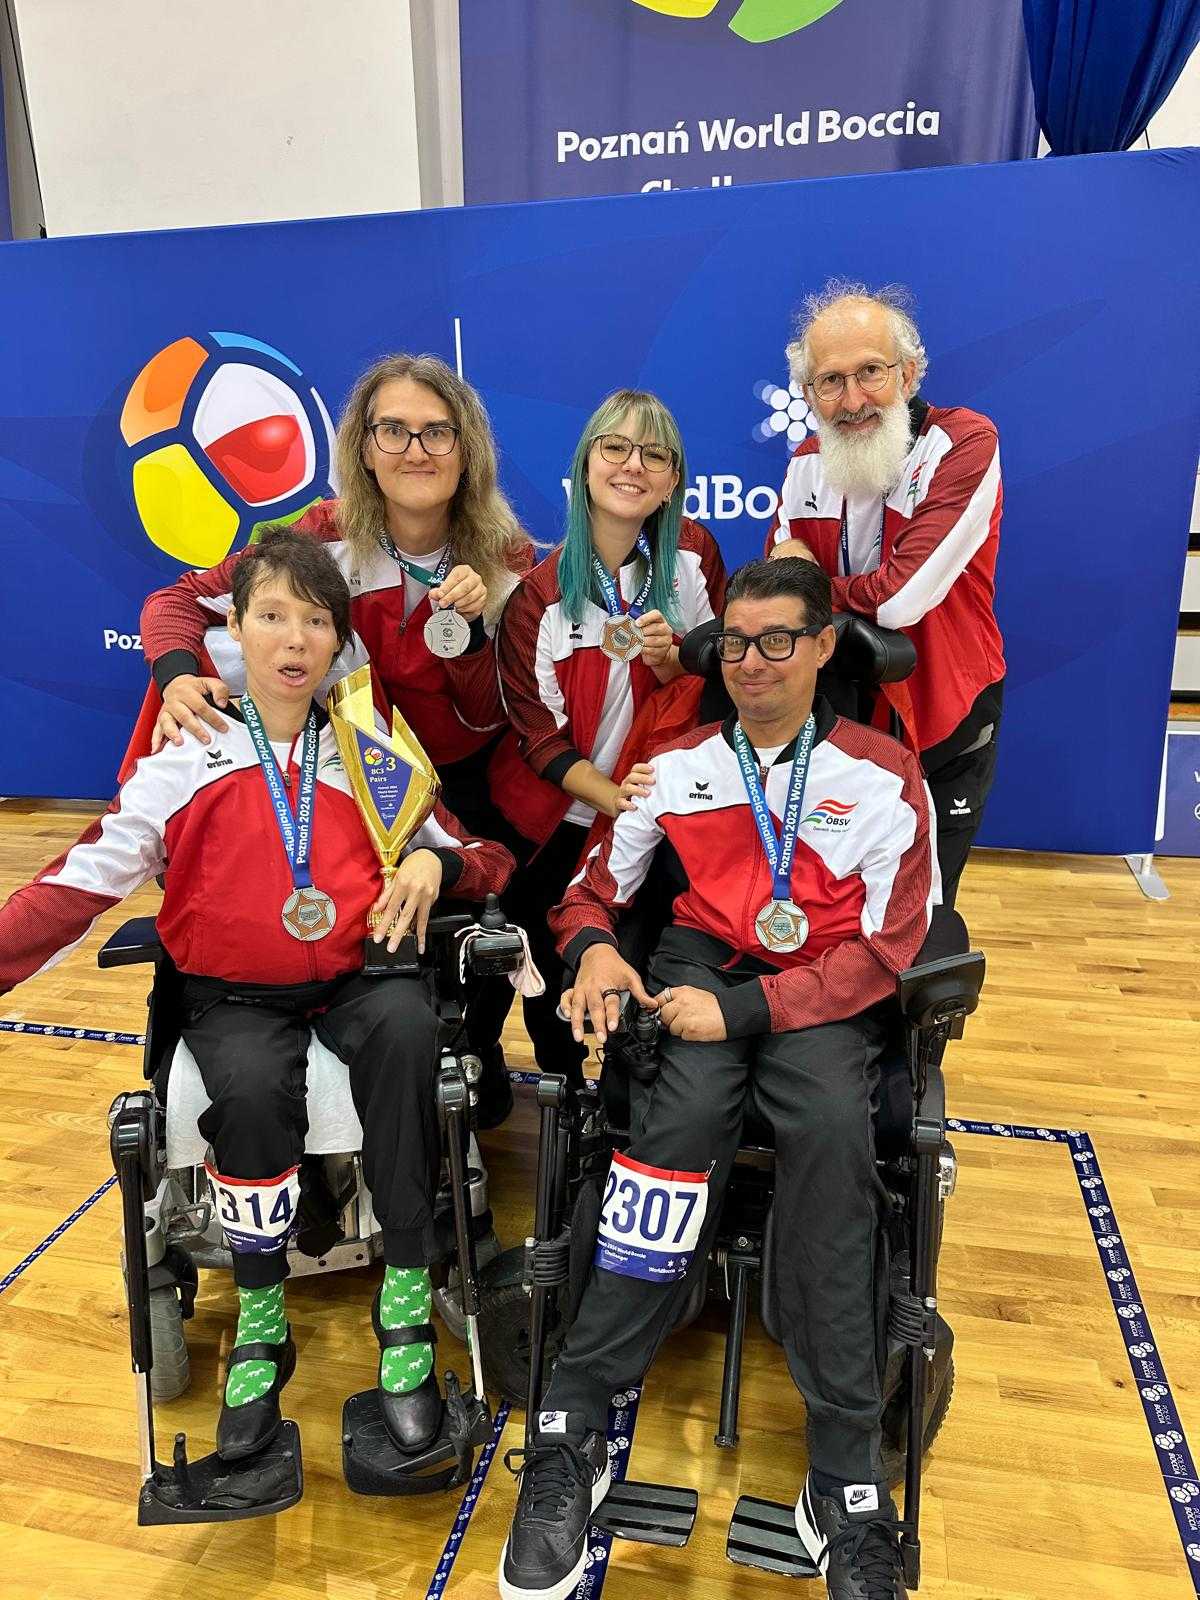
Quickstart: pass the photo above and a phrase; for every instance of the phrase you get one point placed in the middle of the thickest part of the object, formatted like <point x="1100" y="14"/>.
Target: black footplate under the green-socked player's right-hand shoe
<point x="374" y="1465"/>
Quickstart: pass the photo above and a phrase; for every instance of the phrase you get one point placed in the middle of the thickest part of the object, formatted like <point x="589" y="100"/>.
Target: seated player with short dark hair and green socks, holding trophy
<point x="268" y="882"/>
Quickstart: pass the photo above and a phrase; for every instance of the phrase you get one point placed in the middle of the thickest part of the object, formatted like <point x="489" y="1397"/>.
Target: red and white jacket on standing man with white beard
<point x="937" y="569"/>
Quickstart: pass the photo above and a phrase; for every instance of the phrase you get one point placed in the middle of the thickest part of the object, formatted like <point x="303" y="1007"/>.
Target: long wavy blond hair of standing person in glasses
<point x="484" y="529"/>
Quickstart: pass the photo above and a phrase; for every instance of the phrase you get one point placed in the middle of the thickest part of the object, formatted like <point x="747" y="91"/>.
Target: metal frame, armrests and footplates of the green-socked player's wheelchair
<point x="210" y="1490"/>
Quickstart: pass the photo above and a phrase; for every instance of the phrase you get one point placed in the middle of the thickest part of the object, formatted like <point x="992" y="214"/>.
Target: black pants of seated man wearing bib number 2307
<point x="817" y="1089"/>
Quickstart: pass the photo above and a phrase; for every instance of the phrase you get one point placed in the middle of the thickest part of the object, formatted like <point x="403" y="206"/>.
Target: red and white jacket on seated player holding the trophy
<point x="202" y="815"/>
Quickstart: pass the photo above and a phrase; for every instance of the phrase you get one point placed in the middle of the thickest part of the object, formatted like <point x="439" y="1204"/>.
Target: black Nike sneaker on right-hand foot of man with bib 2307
<point x="854" y="1540"/>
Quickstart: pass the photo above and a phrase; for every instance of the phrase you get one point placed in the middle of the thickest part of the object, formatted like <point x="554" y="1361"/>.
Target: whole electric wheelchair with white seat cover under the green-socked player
<point x="170" y="1230"/>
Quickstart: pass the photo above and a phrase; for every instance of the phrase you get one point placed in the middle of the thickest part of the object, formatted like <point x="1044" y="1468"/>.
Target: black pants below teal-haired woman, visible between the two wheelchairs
<point x="537" y="887"/>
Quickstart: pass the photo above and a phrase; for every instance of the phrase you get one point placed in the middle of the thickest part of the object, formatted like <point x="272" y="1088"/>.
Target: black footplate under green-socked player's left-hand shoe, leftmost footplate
<point x="215" y="1490"/>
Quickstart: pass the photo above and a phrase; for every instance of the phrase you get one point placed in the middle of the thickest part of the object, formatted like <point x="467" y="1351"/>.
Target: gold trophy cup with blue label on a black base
<point x="394" y="786"/>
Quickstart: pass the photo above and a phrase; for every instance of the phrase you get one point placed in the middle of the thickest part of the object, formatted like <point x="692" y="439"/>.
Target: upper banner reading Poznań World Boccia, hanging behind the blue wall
<point x="609" y="97"/>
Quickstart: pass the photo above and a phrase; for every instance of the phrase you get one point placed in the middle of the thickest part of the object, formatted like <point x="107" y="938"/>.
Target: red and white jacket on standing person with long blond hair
<point x="452" y="706"/>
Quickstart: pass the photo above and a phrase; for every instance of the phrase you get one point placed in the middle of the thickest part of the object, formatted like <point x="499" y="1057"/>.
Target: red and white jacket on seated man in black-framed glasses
<point x="865" y="870"/>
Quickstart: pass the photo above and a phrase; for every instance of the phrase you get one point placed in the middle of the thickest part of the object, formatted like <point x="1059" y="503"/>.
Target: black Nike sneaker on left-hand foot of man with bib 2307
<point x="562" y="1481"/>
